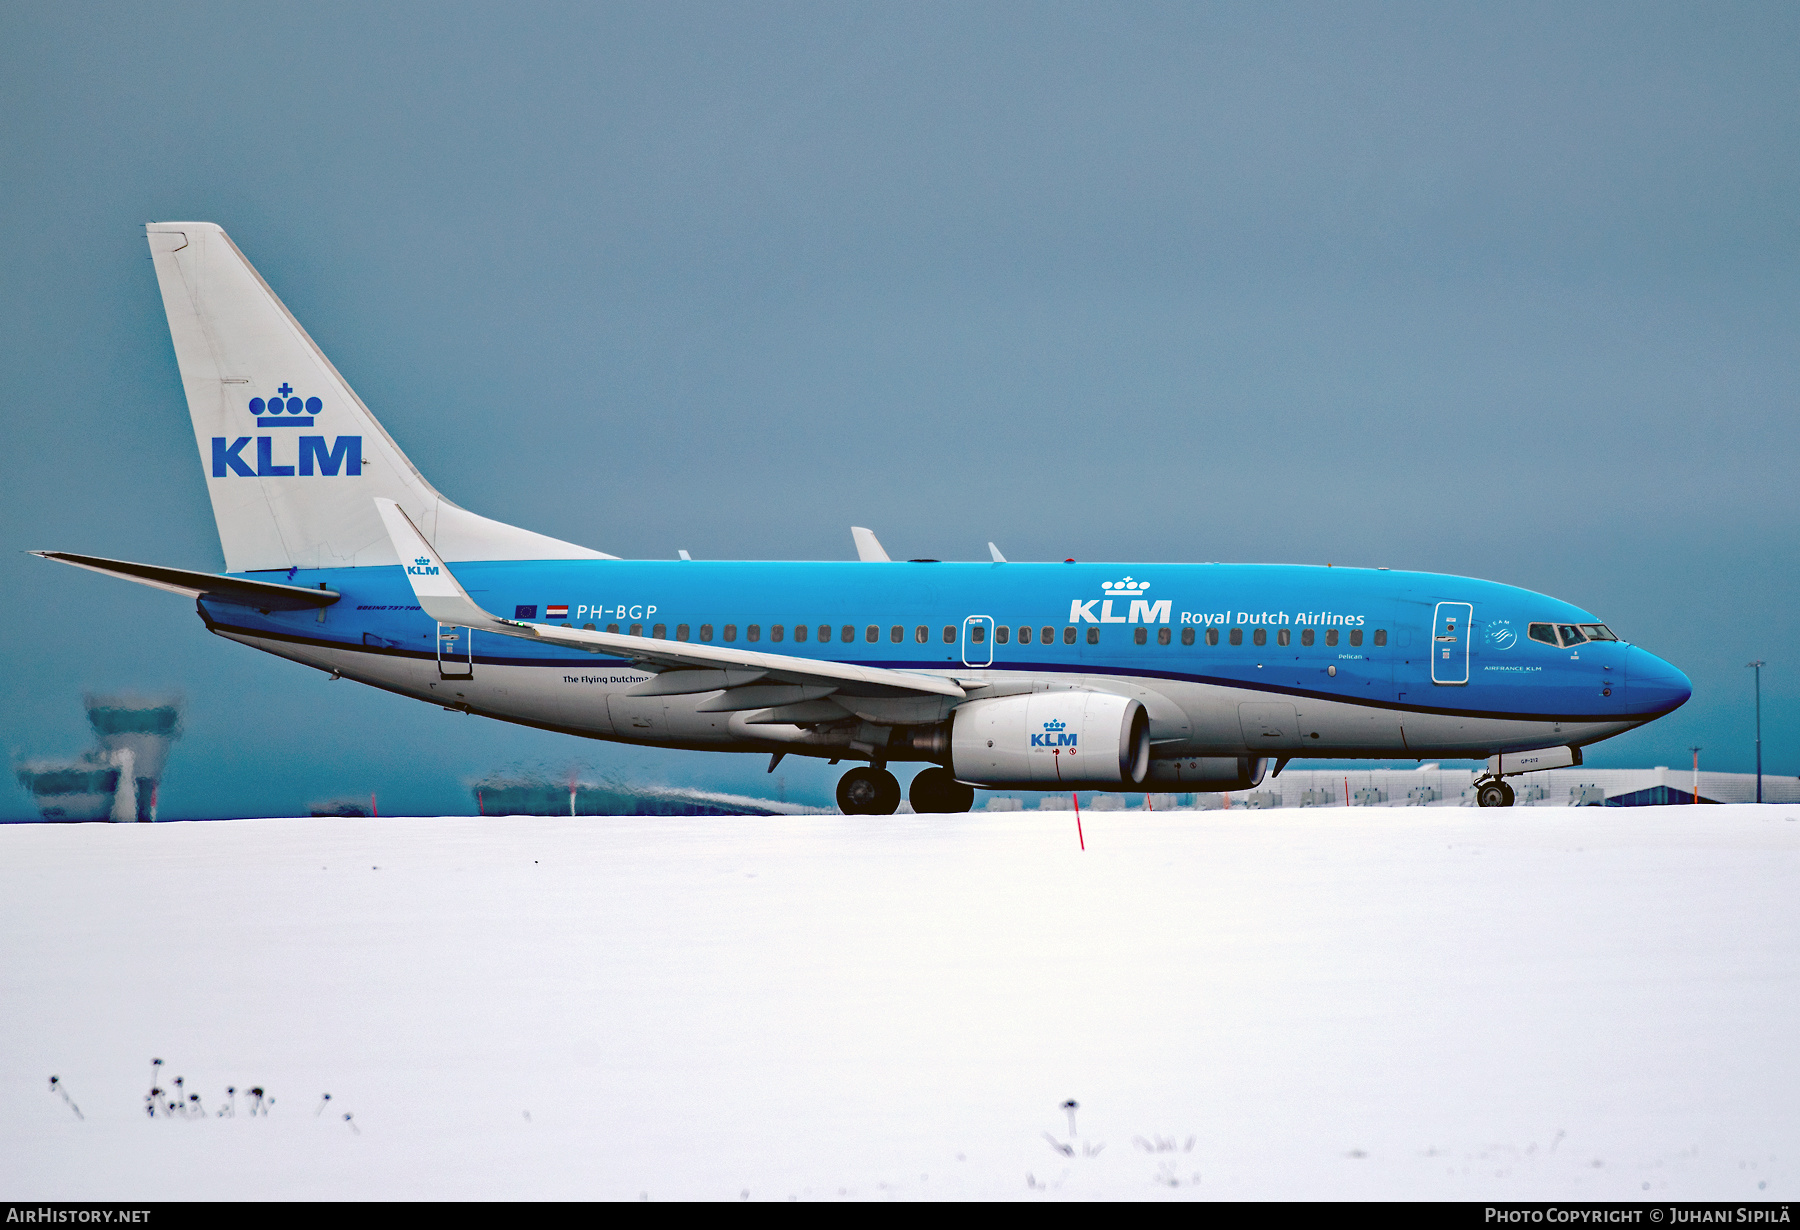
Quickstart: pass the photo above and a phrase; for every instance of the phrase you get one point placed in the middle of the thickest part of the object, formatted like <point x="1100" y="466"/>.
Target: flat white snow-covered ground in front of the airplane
<point x="1434" y="1004"/>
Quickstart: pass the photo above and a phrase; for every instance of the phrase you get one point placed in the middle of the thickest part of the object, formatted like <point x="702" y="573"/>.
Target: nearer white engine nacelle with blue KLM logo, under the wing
<point x="1050" y="739"/>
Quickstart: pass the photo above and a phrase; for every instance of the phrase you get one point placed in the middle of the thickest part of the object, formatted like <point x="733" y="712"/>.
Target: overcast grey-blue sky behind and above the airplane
<point x="1506" y="291"/>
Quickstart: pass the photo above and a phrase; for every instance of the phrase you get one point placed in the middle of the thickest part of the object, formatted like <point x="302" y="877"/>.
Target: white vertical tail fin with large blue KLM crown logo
<point x="294" y="460"/>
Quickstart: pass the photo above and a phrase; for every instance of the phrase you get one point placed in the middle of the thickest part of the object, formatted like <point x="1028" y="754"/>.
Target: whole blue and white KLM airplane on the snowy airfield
<point x="998" y="674"/>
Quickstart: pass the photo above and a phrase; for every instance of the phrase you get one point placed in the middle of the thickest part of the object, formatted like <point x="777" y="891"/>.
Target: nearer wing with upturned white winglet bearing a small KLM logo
<point x="444" y="599"/>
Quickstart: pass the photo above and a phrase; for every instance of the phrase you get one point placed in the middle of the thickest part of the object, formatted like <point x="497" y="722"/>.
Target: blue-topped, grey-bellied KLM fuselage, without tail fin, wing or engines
<point x="1446" y="662"/>
